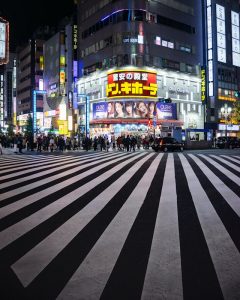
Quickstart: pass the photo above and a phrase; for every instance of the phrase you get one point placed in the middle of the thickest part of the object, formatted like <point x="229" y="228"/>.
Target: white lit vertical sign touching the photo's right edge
<point x="235" y="39"/>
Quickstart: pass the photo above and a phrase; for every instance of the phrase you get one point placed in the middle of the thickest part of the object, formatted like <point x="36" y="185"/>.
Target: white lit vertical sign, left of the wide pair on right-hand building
<point x="221" y="33"/>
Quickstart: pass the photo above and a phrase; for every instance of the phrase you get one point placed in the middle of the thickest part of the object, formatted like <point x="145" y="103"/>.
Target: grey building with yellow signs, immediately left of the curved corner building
<point x="60" y="69"/>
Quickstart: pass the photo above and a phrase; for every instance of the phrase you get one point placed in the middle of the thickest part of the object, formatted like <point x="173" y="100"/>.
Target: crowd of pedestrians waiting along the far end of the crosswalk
<point x="52" y="143"/>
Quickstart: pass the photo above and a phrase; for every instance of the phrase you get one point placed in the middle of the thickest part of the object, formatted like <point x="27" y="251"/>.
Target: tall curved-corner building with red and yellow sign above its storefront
<point x="132" y="56"/>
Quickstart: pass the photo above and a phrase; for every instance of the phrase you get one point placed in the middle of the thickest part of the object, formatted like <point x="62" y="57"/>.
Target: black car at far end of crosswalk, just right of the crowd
<point x="167" y="143"/>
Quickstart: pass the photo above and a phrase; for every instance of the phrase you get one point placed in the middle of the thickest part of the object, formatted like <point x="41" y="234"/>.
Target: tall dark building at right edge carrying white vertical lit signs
<point x="222" y="60"/>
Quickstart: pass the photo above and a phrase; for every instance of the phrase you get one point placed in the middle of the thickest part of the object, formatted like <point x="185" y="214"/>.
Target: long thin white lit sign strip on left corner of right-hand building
<point x="210" y="48"/>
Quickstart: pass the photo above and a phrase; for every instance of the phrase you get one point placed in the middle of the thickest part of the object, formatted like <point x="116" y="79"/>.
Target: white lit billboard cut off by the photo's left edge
<point x="4" y="41"/>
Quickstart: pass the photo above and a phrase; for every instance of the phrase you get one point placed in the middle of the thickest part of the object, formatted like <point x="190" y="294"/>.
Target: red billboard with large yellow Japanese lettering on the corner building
<point x="127" y="83"/>
